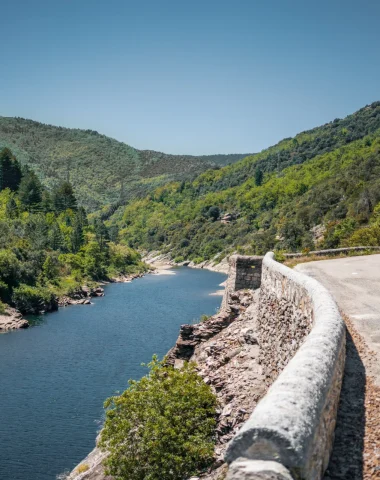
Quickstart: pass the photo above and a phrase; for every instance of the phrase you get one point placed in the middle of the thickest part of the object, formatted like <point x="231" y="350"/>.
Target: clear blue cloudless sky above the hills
<point x="197" y="76"/>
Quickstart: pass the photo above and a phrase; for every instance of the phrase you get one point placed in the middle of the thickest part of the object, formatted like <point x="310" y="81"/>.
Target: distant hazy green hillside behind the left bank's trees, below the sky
<point x="102" y="170"/>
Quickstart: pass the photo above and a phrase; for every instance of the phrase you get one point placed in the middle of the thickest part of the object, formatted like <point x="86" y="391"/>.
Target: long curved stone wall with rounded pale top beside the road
<point x="302" y="335"/>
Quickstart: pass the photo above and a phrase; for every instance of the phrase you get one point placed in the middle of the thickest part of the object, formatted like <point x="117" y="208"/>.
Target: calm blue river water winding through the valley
<point x="55" y="375"/>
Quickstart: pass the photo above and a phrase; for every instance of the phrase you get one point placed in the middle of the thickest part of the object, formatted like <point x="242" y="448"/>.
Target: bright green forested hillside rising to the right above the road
<point x="320" y="188"/>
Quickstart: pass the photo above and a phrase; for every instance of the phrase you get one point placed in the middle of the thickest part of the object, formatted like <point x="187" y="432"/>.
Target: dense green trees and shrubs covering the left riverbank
<point x="48" y="246"/>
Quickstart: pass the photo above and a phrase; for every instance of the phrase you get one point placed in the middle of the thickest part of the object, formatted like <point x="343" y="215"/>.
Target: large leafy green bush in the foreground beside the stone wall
<point x="162" y="427"/>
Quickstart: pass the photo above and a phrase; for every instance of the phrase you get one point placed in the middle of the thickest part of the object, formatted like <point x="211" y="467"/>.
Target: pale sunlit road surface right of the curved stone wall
<point x="355" y="284"/>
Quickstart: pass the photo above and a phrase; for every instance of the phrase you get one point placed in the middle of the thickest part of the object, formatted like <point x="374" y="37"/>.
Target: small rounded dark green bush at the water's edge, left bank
<point x="35" y="300"/>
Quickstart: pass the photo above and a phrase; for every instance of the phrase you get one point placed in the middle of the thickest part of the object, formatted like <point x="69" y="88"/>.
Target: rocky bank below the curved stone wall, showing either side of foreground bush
<point x="226" y="352"/>
